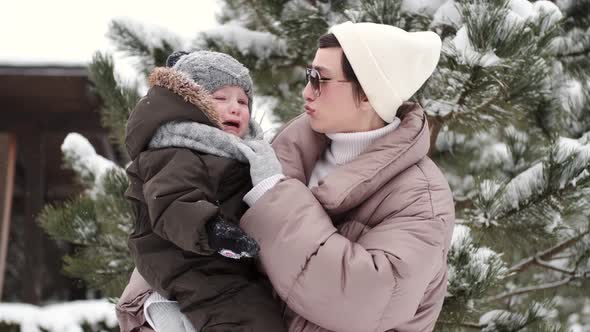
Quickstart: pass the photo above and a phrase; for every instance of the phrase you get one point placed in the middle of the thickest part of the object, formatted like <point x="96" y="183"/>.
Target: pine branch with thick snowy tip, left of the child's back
<point x="97" y="221"/>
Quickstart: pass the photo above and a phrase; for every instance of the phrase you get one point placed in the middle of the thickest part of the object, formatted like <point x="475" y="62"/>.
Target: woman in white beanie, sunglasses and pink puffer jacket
<point x="355" y="226"/>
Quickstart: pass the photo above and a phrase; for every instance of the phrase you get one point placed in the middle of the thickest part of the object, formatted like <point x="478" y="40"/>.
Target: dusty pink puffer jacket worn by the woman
<point x="366" y="249"/>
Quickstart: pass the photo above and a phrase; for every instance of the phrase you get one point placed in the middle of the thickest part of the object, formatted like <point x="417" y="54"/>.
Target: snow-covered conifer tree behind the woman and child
<point x="509" y="115"/>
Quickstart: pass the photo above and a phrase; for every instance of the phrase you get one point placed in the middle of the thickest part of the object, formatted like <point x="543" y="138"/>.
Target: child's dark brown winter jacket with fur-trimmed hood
<point x="174" y="191"/>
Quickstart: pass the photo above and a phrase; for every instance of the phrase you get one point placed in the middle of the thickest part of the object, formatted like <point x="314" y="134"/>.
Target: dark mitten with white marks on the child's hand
<point x="229" y="240"/>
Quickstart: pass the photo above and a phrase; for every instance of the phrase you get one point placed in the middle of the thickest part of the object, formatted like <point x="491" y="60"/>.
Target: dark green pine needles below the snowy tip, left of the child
<point x="98" y="224"/>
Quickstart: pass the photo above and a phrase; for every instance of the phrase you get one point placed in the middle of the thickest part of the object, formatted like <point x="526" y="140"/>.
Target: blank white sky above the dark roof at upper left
<point x="69" y="31"/>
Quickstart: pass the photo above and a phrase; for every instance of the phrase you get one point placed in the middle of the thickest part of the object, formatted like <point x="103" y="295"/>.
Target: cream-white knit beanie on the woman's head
<point x="391" y="64"/>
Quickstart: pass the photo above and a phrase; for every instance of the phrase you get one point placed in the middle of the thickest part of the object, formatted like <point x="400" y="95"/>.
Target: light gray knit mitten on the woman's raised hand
<point x="262" y="158"/>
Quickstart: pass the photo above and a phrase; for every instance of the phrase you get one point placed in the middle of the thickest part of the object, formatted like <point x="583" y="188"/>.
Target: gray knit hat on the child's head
<point x="212" y="70"/>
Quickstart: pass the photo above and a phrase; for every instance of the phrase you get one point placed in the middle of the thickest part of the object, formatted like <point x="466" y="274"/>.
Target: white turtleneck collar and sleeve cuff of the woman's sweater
<point x="343" y="148"/>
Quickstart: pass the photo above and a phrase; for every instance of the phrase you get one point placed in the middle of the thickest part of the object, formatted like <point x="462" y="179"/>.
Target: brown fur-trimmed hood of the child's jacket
<point x="173" y="98"/>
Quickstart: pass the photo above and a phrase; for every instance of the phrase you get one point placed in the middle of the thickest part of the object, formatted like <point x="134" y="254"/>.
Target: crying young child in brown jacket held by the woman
<point x="187" y="181"/>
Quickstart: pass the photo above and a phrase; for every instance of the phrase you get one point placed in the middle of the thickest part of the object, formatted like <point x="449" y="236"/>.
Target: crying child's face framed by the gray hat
<point x="231" y="103"/>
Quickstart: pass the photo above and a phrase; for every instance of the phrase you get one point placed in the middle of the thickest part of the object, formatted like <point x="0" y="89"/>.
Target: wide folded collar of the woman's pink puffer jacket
<point x="299" y="148"/>
